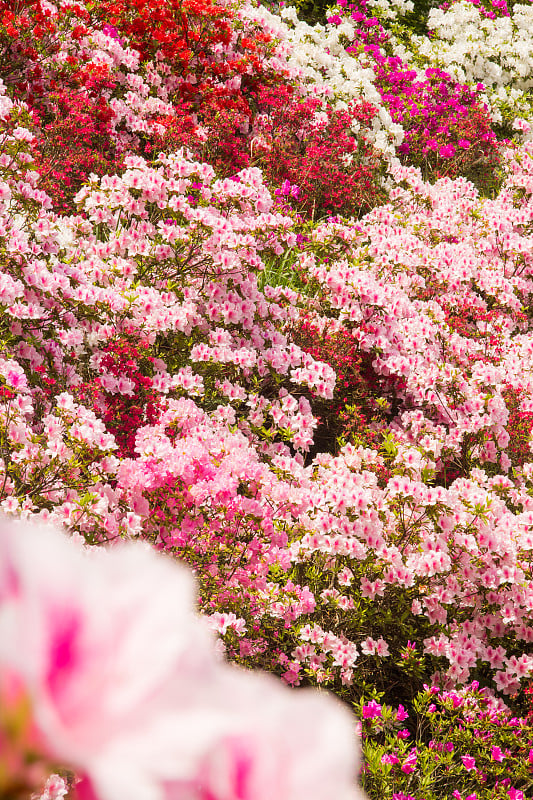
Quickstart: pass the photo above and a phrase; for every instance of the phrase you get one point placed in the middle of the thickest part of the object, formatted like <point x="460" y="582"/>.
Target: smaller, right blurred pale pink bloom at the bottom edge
<point x="278" y="751"/>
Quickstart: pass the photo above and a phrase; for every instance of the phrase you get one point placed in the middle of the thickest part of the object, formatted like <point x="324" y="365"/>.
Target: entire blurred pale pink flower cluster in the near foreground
<point x="107" y="670"/>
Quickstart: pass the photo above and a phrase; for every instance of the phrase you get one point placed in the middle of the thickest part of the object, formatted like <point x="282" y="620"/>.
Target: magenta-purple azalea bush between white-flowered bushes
<point x="447" y="127"/>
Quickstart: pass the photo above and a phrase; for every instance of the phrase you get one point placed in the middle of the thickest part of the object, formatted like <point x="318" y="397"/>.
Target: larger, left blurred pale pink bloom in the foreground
<point x="112" y="655"/>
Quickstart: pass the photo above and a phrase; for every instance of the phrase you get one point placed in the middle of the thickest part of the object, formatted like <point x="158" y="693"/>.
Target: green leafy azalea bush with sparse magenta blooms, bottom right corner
<point x="466" y="745"/>
